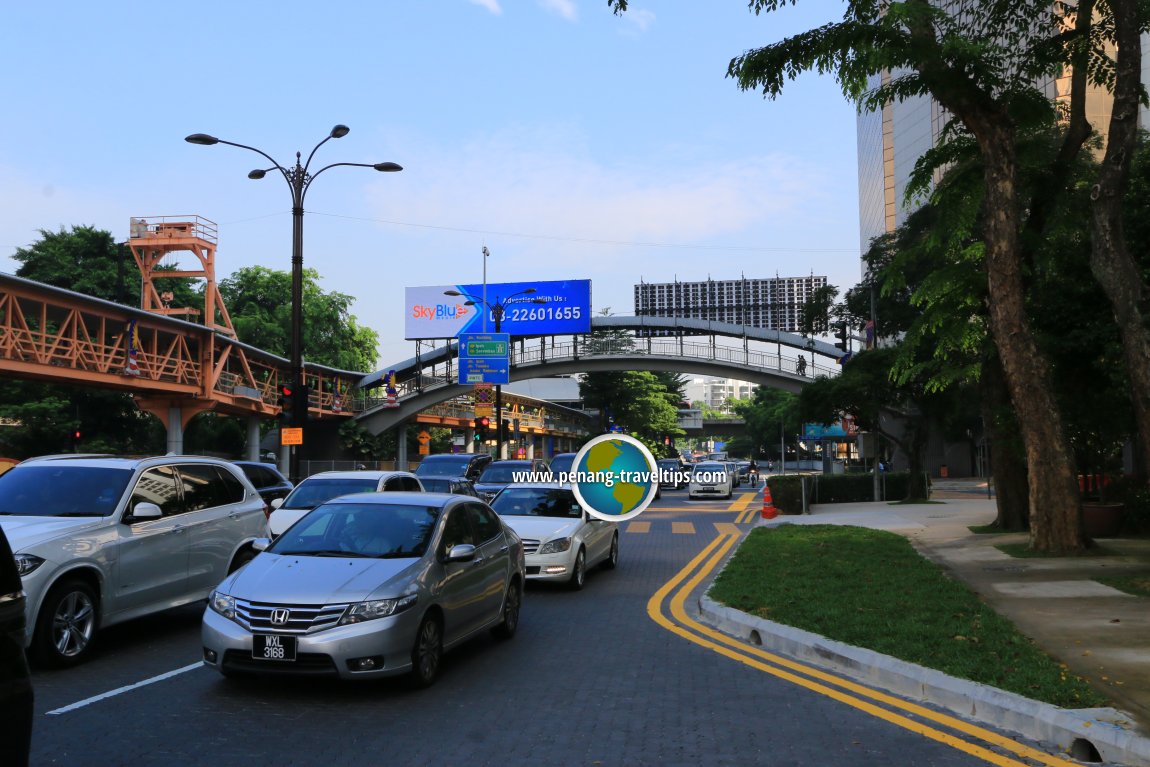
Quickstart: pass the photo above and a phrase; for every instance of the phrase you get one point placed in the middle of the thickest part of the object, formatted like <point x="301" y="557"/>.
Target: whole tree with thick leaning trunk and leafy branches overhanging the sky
<point x="982" y="68"/>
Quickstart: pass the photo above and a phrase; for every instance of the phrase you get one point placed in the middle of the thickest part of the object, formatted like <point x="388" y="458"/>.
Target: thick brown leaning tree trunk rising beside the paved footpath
<point x="1055" y="508"/>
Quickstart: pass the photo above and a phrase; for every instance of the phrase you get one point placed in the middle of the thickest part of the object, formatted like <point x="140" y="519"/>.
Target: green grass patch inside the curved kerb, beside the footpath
<point x="871" y="589"/>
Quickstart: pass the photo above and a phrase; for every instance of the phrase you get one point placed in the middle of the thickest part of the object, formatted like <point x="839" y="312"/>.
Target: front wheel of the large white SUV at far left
<point x="66" y="626"/>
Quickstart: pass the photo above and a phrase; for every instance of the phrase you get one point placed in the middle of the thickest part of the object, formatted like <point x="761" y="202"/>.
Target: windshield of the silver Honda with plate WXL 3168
<point x="358" y="531"/>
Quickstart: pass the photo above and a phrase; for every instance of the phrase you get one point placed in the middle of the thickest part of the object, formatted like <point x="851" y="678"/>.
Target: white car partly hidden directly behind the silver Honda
<point x="561" y="540"/>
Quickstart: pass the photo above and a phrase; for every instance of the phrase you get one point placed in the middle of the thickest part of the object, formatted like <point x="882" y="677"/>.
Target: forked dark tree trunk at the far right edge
<point x="1110" y="260"/>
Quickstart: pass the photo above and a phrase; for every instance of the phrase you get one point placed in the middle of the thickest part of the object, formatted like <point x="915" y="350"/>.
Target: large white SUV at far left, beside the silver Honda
<point x="102" y="540"/>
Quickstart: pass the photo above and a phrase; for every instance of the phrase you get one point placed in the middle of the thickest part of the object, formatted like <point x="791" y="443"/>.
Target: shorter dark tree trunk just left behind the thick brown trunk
<point x="1008" y="458"/>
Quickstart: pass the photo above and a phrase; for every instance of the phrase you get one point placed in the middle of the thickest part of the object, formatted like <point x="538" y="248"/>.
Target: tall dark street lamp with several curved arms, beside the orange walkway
<point x="300" y="180"/>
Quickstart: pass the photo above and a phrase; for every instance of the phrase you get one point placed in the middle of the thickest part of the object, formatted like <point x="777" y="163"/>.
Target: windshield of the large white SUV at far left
<point x="53" y="489"/>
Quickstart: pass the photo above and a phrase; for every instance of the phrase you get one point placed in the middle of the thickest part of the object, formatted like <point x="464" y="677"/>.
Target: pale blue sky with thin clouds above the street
<point x="572" y="143"/>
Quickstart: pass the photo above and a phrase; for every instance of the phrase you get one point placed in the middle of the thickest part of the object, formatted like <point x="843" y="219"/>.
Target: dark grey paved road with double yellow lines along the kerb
<point x="616" y="674"/>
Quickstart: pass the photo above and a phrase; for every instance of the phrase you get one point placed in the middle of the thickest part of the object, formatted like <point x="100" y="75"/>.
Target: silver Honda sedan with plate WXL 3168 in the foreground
<point x="370" y="586"/>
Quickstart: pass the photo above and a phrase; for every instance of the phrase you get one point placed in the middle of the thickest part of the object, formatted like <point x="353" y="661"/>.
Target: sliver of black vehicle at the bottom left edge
<point x="16" y="682"/>
